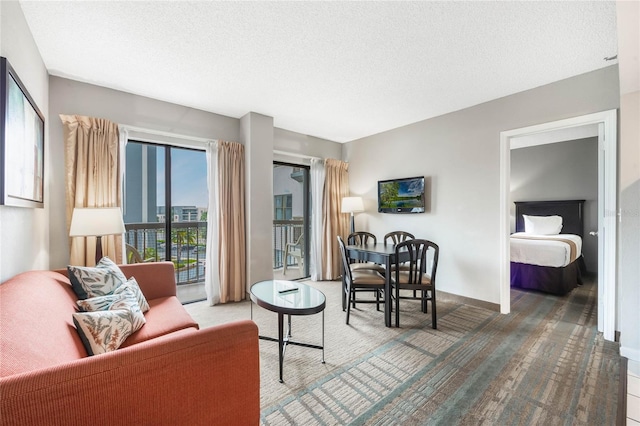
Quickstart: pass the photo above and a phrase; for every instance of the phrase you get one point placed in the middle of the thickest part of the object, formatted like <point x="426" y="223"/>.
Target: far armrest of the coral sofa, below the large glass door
<point x="156" y="279"/>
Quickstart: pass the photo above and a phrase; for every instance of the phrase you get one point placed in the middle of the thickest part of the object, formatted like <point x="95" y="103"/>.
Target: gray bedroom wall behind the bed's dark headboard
<point x="561" y="171"/>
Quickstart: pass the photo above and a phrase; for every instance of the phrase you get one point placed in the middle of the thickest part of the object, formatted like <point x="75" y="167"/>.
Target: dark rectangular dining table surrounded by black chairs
<point x="382" y="254"/>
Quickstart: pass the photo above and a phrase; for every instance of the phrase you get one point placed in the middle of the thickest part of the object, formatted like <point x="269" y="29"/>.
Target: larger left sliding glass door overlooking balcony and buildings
<point x="165" y="211"/>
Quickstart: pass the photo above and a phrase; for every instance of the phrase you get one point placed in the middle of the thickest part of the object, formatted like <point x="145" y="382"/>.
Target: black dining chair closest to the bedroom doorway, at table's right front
<point x="418" y="276"/>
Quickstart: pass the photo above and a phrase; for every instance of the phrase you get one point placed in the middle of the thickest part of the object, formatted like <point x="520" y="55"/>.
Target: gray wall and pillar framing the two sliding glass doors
<point x="72" y="97"/>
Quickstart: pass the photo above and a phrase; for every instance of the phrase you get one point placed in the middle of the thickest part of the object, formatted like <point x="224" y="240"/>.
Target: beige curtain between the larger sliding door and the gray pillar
<point x="231" y="222"/>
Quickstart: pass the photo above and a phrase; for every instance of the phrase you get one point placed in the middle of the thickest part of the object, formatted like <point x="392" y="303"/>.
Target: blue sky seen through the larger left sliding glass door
<point x="189" y="177"/>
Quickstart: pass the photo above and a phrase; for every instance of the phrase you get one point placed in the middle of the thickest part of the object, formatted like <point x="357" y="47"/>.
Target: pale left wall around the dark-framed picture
<point x="24" y="237"/>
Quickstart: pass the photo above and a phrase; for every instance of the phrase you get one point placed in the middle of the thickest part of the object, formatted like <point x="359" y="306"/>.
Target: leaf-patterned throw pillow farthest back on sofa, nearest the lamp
<point x="100" y="280"/>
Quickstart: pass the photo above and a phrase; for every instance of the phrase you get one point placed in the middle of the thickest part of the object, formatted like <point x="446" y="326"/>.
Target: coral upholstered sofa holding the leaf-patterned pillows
<point x="168" y="372"/>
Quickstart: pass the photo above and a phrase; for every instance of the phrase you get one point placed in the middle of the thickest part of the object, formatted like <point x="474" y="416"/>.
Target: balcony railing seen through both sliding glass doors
<point x="188" y="245"/>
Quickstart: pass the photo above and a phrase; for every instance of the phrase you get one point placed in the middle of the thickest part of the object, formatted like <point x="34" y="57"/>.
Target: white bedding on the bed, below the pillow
<point x="540" y="250"/>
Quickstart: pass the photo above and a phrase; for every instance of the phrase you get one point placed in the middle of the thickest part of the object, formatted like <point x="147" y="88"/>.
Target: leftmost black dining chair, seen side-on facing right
<point x="358" y="281"/>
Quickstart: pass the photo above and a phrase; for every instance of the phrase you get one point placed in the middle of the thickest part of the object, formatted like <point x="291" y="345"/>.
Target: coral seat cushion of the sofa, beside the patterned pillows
<point x="165" y="316"/>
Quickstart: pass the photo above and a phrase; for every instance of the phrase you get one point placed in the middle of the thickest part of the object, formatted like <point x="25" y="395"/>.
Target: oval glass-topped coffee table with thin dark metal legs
<point x="288" y="298"/>
